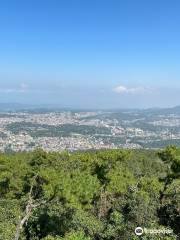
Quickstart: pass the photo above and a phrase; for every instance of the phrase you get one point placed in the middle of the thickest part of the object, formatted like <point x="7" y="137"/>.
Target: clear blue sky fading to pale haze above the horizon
<point x="93" y="53"/>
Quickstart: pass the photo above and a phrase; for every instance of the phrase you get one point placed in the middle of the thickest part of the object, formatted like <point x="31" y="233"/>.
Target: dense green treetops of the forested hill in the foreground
<point x="102" y="195"/>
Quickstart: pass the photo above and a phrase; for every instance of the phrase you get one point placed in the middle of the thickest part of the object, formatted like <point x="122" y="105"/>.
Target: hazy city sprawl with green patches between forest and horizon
<point x="54" y="130"/>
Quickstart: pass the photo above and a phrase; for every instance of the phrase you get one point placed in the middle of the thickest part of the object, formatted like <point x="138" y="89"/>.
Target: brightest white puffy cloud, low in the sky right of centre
<point x="130" y="90"/>
